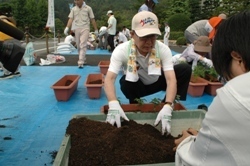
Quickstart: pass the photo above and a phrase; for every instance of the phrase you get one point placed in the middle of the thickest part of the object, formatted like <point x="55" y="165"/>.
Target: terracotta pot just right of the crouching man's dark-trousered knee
<point x="196" y="86"/>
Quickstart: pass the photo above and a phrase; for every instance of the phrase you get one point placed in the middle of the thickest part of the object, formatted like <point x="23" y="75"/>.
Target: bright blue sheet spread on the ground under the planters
<point x="33" y="122"/>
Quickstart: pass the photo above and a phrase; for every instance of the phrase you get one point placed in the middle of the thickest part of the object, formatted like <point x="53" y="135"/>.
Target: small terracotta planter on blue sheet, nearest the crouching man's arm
<point x="94" y="83"/>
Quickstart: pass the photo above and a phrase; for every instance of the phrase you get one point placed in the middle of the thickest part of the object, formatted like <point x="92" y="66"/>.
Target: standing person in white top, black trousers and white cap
<point x="111" y="29"/>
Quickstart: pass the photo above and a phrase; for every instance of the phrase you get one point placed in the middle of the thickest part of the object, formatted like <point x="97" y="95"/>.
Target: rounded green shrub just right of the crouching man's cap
<point x="179" y="22"/>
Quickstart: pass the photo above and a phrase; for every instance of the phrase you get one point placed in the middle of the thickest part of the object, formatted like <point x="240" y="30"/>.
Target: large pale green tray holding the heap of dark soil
<point x="181" y="120"/>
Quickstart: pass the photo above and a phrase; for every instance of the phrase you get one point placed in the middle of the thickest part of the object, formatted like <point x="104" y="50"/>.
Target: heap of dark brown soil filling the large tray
<point x="99" y="143"/>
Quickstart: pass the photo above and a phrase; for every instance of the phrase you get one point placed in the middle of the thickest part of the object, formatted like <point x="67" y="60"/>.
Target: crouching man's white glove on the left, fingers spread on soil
<point x="115" y="113"/>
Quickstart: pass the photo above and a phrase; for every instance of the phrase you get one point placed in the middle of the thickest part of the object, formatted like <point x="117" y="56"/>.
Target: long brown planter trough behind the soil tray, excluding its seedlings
<point x="146" y="107"/>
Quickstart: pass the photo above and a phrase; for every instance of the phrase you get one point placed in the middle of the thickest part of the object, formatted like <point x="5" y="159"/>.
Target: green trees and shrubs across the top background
<point x="179" y="13"/>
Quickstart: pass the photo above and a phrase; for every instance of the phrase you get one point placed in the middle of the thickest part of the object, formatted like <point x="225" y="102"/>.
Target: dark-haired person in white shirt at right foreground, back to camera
<point x="223" y="139"/>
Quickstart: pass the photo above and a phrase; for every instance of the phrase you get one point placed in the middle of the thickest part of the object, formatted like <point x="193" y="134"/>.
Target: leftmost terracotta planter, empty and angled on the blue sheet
<point x="65" y="87"/>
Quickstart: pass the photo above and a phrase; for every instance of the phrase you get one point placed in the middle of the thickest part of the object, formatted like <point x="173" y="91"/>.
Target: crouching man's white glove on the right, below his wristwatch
<point x="165" y="117"/>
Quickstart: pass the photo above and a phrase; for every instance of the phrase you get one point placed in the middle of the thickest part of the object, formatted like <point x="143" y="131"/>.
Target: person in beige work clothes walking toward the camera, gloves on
<point x="80" y="16"/>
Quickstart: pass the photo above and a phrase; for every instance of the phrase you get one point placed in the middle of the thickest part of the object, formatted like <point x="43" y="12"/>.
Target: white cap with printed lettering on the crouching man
<point x="145" y="23"/>
